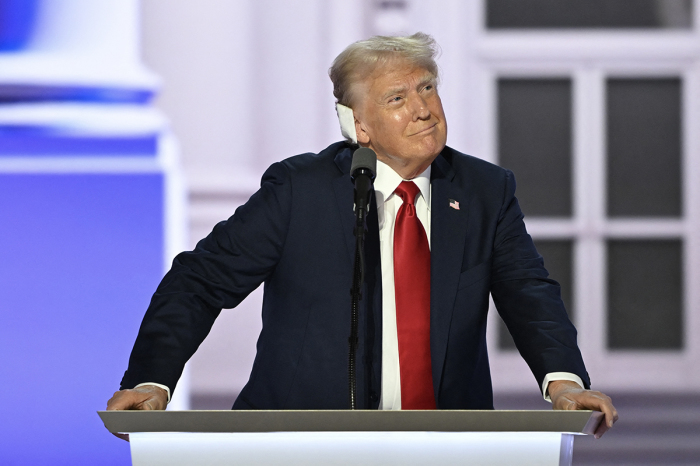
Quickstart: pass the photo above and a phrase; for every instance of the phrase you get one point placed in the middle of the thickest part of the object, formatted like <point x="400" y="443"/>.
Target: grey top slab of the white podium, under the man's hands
<point x="583" y="422"/>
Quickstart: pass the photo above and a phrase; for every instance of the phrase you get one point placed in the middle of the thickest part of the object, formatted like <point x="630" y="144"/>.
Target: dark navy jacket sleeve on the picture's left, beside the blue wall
<point x="226" y="266"/>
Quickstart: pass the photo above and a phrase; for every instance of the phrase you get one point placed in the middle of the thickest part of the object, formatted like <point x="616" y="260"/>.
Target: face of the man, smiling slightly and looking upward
<point x="399" y="115"/>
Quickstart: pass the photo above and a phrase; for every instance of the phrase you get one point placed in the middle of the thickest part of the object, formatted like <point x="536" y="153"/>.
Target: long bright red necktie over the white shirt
<point x="412" y="285"/>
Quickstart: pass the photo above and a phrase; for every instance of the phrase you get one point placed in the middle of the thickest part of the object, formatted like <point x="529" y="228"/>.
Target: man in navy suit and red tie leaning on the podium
<point x="446" y="231"/>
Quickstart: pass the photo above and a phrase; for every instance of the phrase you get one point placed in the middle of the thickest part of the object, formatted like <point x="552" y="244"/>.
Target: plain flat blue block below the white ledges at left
<point x="81" y="255"/>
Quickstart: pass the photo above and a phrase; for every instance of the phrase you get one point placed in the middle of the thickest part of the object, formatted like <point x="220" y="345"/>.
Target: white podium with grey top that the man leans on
<point x="218" y="438"/>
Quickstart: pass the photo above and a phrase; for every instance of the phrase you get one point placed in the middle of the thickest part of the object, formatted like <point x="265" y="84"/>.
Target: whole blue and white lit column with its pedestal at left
<point x="86" y="219"/>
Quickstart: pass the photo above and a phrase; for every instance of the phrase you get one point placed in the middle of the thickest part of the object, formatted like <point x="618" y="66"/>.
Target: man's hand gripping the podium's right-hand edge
<point x="567" y="395"/>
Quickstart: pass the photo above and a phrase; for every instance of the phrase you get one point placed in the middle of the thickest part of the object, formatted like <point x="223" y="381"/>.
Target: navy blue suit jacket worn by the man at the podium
<point x="295" y="235"/>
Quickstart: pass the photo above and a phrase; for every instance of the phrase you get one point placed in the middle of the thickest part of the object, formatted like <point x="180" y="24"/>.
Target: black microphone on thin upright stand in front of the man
<point x="362" y="173"/>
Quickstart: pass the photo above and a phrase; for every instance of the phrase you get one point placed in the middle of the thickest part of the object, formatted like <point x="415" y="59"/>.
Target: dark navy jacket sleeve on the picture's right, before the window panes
<point x="528" y="301"/>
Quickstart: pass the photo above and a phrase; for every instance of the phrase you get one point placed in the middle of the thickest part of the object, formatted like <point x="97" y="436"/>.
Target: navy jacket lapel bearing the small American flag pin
<point x="448" y="232"/>
